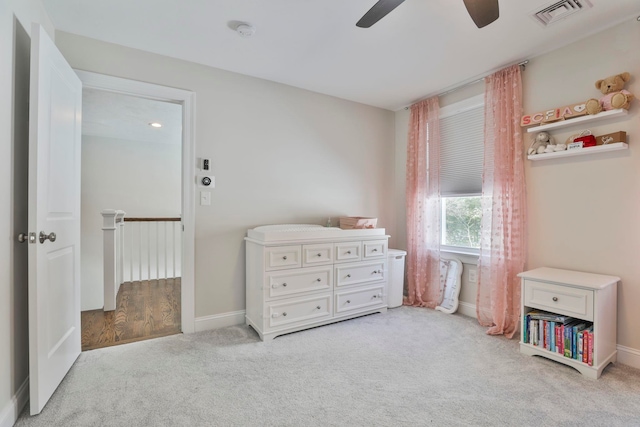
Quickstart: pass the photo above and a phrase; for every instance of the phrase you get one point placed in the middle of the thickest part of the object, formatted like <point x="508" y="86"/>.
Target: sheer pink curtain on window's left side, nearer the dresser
<point x="423" y="205"/>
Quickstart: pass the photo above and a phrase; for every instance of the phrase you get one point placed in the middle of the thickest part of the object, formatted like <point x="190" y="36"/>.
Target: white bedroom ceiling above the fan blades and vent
<point x="420" y="49"/>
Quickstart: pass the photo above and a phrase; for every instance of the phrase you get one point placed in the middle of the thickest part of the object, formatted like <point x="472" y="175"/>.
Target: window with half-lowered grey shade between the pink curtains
<point x="461" y="158"/>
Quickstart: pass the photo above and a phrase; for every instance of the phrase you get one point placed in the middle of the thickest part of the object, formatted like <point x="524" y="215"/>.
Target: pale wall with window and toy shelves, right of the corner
<point x="582" y="211"/>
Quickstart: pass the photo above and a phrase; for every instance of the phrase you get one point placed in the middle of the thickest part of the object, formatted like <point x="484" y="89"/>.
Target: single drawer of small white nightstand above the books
<point x="574" y="302"/>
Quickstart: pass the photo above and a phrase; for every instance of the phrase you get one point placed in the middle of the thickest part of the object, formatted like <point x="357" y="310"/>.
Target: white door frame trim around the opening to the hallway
<point x="187" y="99"/>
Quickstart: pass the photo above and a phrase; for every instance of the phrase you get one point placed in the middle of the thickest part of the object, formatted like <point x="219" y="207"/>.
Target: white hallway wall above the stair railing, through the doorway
<point x="141" y="178"/>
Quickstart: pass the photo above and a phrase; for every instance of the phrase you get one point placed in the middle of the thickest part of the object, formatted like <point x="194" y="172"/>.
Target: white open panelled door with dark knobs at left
<point x="54" y="218"/>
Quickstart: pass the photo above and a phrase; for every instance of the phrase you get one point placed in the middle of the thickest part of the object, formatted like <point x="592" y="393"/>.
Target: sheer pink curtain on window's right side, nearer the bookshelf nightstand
<point x="502" y="242"/>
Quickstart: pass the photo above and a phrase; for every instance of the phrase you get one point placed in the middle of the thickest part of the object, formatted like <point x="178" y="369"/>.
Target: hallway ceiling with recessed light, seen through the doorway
<point x="124" y="117"/>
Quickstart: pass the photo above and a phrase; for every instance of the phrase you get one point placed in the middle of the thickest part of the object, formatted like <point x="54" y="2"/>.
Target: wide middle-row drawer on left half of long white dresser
<point x="290" y="282"/>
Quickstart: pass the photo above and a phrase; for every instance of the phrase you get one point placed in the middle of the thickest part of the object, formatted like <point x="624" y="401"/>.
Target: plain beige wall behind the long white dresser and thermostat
<point x="279" y="155"/>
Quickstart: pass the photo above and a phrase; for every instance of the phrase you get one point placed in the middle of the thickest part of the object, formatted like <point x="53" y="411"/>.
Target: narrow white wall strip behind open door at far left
<point x="15" y="25"/>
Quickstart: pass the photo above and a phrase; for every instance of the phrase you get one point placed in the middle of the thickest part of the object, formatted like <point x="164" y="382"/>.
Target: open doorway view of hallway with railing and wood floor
<point x="131" y="150"/>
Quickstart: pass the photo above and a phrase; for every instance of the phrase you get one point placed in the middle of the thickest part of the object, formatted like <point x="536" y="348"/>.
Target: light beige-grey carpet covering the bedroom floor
<point x="408" y="367"/>
